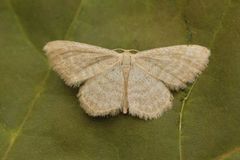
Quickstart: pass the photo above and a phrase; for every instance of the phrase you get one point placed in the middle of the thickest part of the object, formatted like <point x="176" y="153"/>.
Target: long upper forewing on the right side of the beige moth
<point x="174" y="65"/>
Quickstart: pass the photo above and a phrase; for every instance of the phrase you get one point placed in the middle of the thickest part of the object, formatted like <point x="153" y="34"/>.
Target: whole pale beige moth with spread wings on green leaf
<point x="113" y="82"/>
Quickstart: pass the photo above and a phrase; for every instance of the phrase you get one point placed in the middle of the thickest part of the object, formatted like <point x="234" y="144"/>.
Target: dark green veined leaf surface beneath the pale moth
<point x="40" y="117"/>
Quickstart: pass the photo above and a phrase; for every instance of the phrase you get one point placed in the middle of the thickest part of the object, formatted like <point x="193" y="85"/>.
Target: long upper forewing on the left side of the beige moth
<point x="77" y="62"/>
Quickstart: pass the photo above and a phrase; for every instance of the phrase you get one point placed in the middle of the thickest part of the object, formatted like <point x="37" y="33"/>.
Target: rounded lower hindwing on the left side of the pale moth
<point x="103" y="94"/>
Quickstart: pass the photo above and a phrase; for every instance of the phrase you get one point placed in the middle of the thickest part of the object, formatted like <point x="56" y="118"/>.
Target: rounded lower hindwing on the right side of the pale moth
<point x="148" y="97"/>
